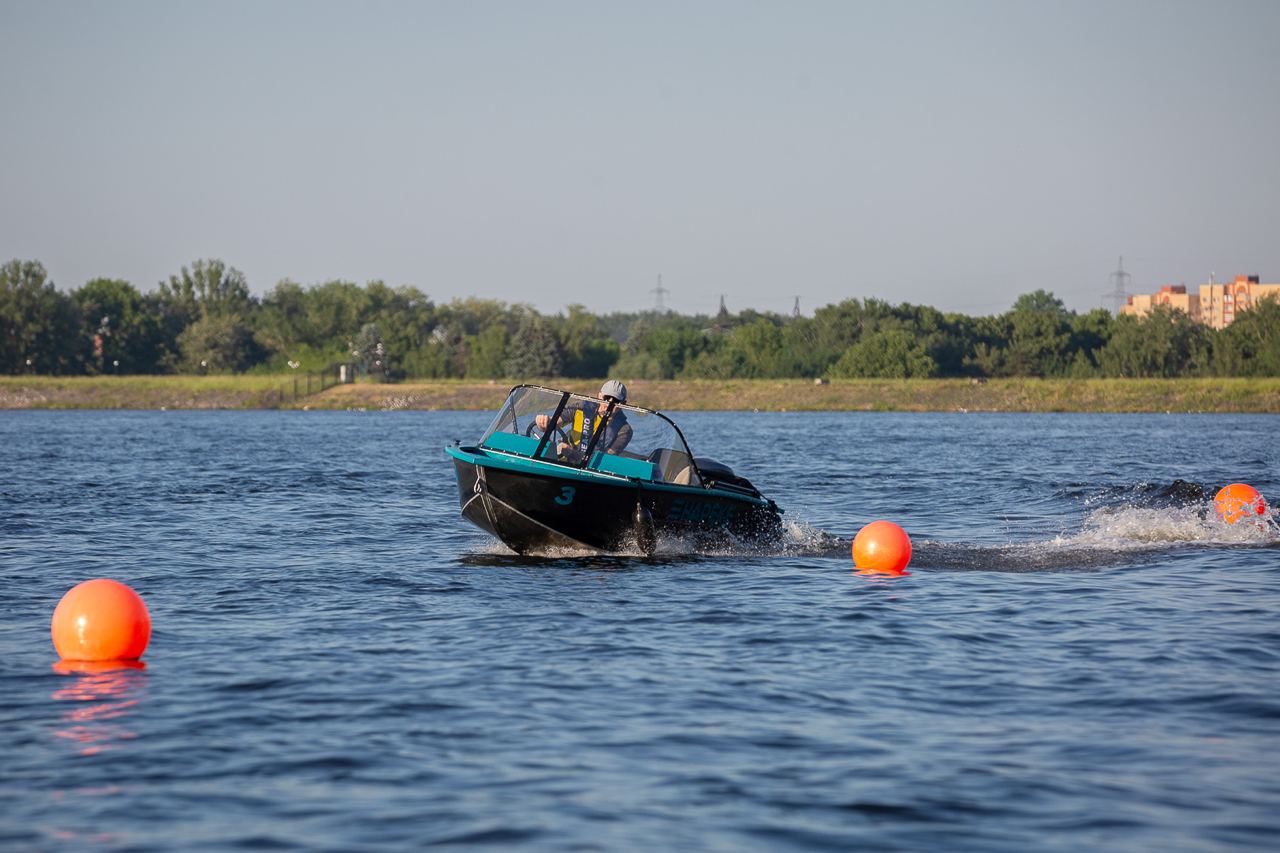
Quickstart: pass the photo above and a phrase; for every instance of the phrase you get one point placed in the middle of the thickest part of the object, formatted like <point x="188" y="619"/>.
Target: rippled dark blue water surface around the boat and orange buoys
<point x="1084" y="658"/>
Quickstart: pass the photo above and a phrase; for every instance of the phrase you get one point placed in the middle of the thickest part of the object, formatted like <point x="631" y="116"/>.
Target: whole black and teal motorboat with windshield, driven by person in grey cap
<point x="557" y="471"/>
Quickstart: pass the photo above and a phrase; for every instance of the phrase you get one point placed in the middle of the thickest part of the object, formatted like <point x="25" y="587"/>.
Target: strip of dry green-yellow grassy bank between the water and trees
<point x="765" y="395"/>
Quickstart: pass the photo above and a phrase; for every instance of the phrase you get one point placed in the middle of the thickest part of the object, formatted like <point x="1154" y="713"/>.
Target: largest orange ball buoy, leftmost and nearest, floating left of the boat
<point x="102" y="621"/>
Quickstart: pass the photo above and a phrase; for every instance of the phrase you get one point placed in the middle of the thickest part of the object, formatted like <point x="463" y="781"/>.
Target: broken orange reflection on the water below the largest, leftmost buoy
<point x="106" y="692"/>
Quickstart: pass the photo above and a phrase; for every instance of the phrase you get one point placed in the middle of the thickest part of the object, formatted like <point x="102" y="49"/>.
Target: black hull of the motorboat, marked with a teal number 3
<point x="534" y="513"/>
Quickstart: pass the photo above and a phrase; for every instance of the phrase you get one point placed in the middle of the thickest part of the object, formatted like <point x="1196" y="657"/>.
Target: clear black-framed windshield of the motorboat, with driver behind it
<point x="633" y="443"/>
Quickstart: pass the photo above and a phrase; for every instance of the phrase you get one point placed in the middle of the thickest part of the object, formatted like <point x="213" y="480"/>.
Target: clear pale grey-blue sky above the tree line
<point x="952" y="154"/>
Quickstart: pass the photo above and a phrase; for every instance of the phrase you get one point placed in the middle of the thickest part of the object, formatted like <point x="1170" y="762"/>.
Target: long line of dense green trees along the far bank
<point x="205" y="320"/>
